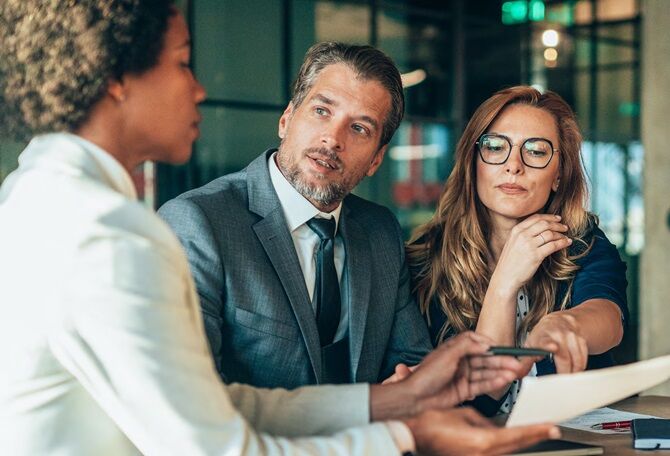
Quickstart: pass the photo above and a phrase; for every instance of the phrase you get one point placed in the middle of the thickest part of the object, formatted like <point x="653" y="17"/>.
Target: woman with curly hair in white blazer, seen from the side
<point x="101" y="337"/>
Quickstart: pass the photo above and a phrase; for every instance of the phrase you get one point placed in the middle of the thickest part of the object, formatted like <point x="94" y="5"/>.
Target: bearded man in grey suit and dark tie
<point x="301" y="282"/>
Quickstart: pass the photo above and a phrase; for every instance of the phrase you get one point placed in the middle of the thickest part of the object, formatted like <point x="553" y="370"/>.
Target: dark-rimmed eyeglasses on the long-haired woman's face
<point x="496" y="149"/>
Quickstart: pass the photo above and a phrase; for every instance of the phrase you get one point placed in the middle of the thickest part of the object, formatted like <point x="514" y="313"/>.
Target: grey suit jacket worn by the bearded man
<point x="257" y="312"/>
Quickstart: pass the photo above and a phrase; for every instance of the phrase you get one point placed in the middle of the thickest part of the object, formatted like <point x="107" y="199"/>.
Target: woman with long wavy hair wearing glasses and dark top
<point x="511" y="251"/>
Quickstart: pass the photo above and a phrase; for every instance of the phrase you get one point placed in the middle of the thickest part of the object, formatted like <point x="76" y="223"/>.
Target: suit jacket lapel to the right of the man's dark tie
<point x="358" y="263"/>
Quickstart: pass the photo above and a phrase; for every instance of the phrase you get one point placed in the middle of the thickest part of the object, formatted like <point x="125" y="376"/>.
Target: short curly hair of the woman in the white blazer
<point x="57" y="56"/>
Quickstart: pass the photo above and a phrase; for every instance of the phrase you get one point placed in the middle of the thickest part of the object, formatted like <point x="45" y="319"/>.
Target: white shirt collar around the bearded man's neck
<point x="297" y="209"/>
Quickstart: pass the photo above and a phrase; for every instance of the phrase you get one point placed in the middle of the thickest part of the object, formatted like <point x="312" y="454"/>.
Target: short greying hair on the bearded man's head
<point x="369" y="64"/>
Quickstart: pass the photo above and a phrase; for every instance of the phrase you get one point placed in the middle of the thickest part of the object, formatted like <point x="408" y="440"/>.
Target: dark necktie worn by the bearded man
<point x="327" y="287"/>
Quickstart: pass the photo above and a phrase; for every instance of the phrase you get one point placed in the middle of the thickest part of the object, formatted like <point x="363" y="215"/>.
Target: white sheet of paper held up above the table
<point x="556" y="398"/>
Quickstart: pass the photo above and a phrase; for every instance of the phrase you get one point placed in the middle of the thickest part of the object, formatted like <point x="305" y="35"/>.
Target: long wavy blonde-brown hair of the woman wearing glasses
<point x="450" y="256"/>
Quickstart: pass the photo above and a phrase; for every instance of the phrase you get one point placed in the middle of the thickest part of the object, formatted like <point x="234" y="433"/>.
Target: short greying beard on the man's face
<point x="325" y="195"/>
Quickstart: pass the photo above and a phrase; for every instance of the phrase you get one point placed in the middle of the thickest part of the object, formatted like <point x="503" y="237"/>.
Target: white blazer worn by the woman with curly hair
<point x="102" y="346"/>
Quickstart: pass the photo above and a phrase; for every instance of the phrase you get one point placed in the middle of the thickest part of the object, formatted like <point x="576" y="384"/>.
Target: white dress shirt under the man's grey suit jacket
<point x="297" y="212"/>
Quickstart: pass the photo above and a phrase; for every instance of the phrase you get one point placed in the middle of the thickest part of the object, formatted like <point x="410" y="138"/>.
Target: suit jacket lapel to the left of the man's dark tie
<point x="276" y="240"/>
